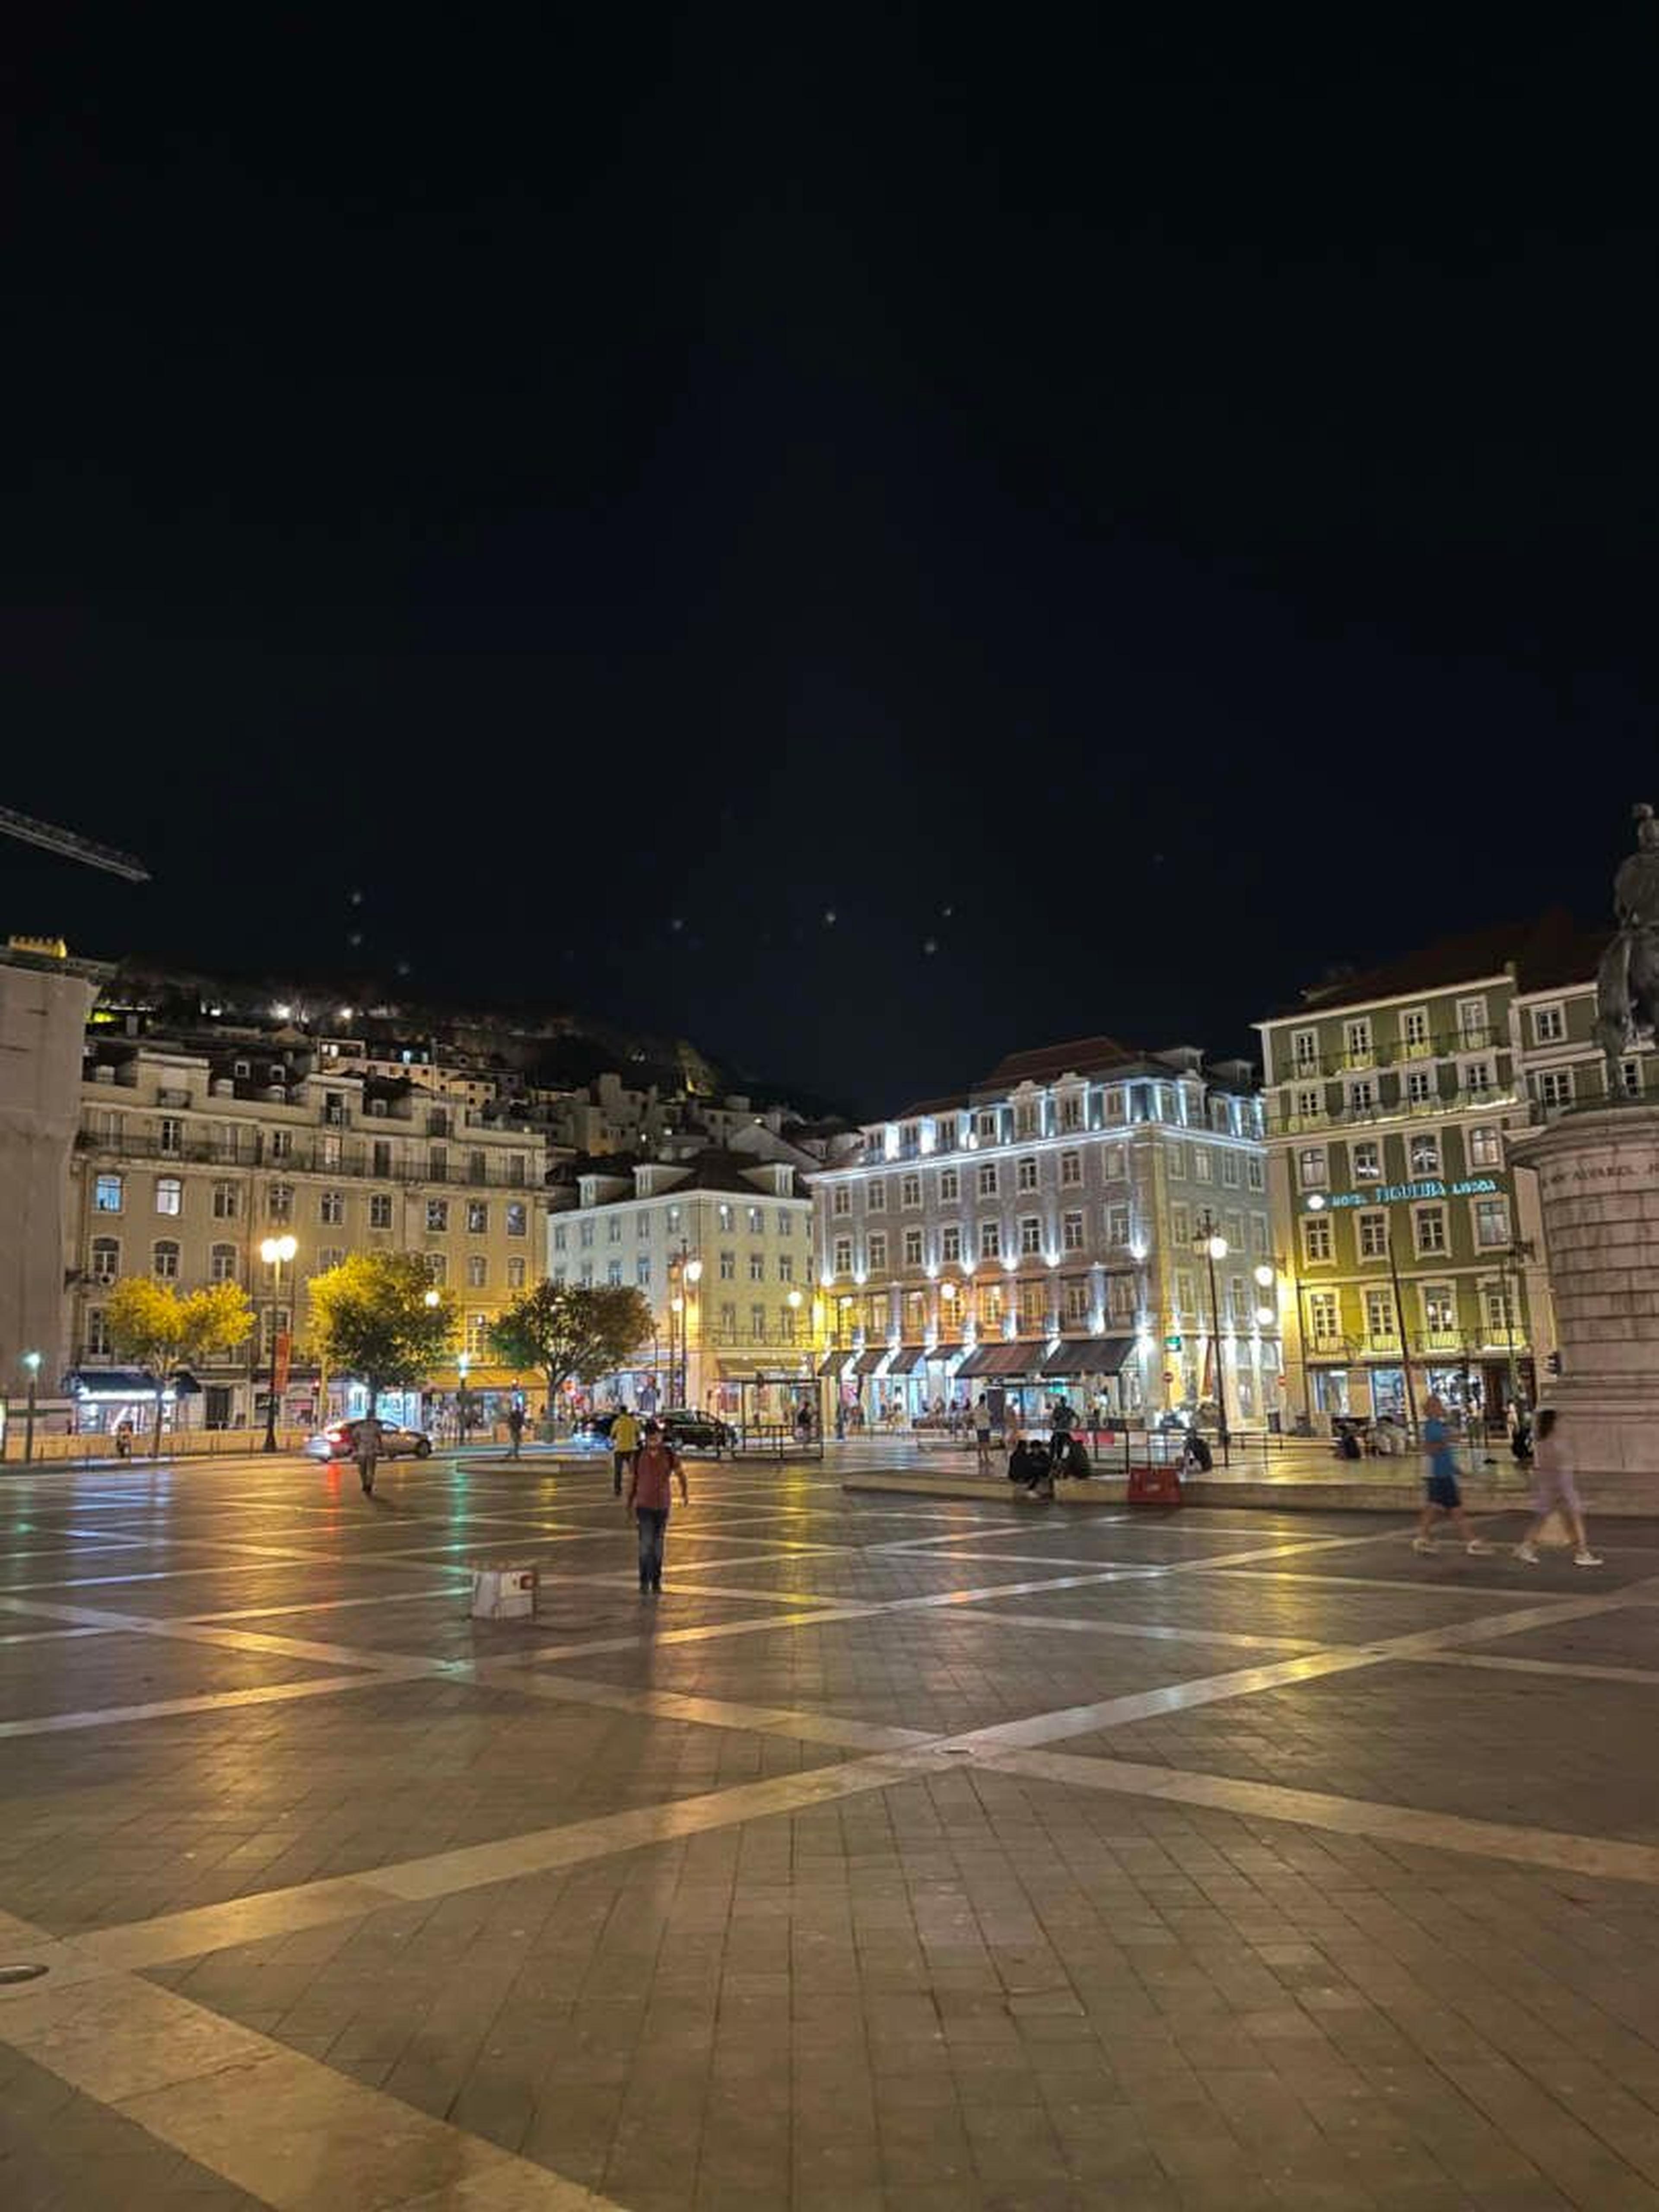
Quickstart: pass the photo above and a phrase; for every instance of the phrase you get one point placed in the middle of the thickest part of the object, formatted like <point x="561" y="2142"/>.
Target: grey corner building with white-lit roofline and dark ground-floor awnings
<point x="1045" y="1233"/>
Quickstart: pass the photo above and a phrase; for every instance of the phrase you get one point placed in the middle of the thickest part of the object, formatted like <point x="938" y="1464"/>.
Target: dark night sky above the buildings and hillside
<point x="1185" y="505"/>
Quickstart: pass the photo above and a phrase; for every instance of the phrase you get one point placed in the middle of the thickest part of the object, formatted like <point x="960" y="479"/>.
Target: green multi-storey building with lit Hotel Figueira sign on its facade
<point x="1408" y="1242"/>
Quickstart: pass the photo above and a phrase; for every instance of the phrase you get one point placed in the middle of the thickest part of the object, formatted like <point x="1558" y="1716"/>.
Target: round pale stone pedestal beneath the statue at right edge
<point x="1598" y="1185"/>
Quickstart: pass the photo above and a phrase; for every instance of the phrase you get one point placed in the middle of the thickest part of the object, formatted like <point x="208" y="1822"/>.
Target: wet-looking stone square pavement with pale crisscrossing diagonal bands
<point x="908" y="1853"/>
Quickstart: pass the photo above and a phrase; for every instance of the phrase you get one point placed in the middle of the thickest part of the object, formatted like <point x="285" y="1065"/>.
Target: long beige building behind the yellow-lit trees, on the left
<point x="191" y="1158"/>
